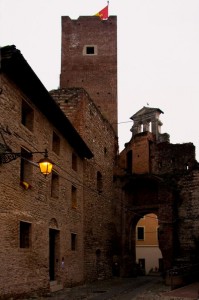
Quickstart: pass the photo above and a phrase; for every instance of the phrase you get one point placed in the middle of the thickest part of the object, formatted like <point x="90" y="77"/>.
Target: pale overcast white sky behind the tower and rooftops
<point x="158" y="55"/>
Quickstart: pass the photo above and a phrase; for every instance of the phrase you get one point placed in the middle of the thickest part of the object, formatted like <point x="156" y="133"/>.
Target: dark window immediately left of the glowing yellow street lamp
<point x="26" y="166"/>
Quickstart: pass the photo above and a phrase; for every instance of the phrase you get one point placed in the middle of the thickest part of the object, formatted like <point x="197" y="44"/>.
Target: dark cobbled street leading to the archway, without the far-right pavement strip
<point x="144" y="287"/>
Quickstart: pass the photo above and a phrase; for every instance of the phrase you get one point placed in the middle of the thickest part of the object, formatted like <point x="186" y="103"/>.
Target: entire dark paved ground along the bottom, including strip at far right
<point x="140" y="288"/>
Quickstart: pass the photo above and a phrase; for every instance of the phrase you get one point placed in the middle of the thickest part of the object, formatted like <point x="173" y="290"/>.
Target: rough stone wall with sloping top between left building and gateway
<point x="98" y="214"/>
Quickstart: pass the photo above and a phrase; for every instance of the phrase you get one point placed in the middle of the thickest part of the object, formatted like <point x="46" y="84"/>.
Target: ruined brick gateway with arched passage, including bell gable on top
<point x="152" y="178"/>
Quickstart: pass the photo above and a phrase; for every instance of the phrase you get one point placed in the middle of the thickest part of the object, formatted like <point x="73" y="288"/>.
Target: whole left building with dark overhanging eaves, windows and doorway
<point x="42" y="218"/>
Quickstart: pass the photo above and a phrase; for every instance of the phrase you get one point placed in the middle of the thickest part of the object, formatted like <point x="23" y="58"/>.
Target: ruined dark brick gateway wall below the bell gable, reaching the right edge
<point x="163" y="179"/>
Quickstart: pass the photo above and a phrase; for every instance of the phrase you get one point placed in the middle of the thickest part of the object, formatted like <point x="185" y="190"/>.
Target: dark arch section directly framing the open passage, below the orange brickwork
<point x="144" y="194"/>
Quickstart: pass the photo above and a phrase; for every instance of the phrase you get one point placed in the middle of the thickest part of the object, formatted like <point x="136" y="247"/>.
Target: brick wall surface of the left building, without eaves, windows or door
<point x="27" y="269"/>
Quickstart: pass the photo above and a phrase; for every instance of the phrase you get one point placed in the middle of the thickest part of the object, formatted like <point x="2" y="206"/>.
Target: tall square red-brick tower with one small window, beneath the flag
<point x="89" y="61"/>
